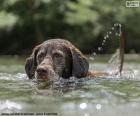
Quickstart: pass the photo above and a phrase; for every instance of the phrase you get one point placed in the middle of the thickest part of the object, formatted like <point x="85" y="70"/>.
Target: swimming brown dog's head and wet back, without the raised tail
<point x="57" y="58"/>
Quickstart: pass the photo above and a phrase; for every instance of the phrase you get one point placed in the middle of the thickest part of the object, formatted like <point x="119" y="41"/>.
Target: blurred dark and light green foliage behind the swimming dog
<point x="25" y="23"/>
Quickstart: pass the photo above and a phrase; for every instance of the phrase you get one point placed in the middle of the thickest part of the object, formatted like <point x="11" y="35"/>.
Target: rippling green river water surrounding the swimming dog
<point x="111" y="96"/>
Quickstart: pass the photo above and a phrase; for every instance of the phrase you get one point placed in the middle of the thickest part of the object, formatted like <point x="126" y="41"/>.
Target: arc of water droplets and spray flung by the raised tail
<point x="116" y="61"/>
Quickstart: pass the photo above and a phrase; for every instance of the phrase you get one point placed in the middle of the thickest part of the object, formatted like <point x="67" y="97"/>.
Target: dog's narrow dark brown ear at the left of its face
<point x="31" y="63"/>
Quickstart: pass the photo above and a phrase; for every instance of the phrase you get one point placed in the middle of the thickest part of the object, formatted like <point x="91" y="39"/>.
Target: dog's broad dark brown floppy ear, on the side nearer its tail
<point x="80" y="64"/>
